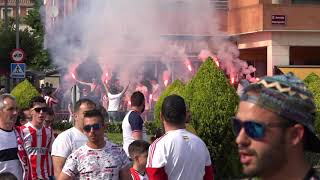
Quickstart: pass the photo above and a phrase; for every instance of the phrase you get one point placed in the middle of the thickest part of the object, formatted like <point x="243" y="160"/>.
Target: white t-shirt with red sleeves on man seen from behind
<point x="178" y="155"/>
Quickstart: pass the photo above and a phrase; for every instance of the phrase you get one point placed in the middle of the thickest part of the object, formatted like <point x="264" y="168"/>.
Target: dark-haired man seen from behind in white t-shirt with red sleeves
<point x="179" y="154"/>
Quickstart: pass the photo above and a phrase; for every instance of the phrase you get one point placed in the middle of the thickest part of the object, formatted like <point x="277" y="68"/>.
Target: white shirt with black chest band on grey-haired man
<point x="9" y="161"/>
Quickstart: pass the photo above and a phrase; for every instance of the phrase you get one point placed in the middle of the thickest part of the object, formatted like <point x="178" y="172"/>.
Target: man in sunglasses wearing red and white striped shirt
<point x="38" y="140"/>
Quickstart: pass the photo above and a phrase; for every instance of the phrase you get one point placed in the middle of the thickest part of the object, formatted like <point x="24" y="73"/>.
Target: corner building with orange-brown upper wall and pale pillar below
<point x="277" y="34"/>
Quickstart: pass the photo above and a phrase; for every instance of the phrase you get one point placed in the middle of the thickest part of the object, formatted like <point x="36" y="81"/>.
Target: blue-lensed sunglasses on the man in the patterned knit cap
<point x="254" y="129"/>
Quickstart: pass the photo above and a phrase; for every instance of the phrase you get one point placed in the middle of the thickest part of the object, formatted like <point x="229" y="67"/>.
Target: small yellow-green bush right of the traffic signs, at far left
<point x="24" y="92"/>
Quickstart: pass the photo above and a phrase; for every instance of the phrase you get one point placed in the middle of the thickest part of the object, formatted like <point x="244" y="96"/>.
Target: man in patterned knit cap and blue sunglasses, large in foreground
<point x="274" y="126"/>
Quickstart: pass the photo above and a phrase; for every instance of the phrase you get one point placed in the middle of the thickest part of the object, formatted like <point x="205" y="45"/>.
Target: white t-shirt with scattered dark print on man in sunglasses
<point x="87" y="163"/>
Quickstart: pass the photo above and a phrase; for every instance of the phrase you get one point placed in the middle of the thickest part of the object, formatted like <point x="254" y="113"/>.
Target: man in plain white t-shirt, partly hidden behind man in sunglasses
<point x="71" y="139"/>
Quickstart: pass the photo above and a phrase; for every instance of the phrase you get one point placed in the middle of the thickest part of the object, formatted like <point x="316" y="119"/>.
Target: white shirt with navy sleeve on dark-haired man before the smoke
<point x="132" y="122"/>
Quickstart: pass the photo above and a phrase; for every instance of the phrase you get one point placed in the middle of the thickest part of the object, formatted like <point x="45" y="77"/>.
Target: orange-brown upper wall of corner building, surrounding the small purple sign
<point x="248" y="16"/>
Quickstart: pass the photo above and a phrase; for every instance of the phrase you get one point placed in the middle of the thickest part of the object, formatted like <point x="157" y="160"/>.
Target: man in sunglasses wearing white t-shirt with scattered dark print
<point x="98" y="158"/>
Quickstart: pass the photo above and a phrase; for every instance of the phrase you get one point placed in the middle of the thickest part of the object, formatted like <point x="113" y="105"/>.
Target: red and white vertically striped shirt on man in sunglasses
<point x="37" y="143"/>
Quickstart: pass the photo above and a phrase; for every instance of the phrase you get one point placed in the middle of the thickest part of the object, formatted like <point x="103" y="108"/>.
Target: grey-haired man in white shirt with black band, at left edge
<point x="13" y="157"/>
